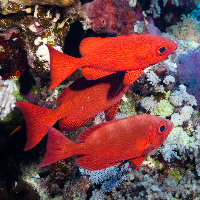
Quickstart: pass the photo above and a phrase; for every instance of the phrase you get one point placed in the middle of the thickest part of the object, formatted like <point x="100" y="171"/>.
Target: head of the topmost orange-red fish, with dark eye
<point x="159" y="49"/>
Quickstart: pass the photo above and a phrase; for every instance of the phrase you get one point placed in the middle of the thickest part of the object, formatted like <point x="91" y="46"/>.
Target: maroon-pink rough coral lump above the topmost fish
<point x="113" y="17"/>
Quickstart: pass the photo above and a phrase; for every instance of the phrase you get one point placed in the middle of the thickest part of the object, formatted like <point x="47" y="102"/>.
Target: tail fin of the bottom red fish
<point x="58" y="147"/>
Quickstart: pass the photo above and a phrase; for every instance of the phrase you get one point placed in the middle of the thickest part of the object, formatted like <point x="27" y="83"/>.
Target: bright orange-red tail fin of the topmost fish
<point x="61" y="66"/>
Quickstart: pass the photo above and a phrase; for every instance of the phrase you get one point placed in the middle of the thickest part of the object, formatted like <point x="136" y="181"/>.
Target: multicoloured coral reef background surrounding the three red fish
<point x="170" y="89"/>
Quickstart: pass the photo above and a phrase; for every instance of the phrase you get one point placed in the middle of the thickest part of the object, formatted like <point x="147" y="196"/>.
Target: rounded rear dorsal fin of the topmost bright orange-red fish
<point x="88" y="45"/>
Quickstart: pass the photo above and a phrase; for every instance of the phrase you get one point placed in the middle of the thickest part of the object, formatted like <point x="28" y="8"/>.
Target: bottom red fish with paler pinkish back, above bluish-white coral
<point x="130" y="139"/>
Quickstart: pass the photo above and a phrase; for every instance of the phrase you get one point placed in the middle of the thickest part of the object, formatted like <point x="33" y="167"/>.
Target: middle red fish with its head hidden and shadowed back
<point x="80" y="102"/>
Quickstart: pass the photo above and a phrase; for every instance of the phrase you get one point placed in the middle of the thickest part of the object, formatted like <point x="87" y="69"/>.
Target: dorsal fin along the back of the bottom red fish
<point x="83" y="136"/>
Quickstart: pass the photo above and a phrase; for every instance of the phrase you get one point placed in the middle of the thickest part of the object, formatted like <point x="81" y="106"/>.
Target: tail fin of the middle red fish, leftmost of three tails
<point x="35" y="122"/>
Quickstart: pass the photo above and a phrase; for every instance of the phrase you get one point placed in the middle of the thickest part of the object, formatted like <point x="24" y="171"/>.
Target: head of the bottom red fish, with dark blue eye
<point x="160" y="128"/>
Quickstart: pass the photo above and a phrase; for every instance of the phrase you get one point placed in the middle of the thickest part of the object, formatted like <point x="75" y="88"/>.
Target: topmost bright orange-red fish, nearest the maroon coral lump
<point x="104" y="56"/>
